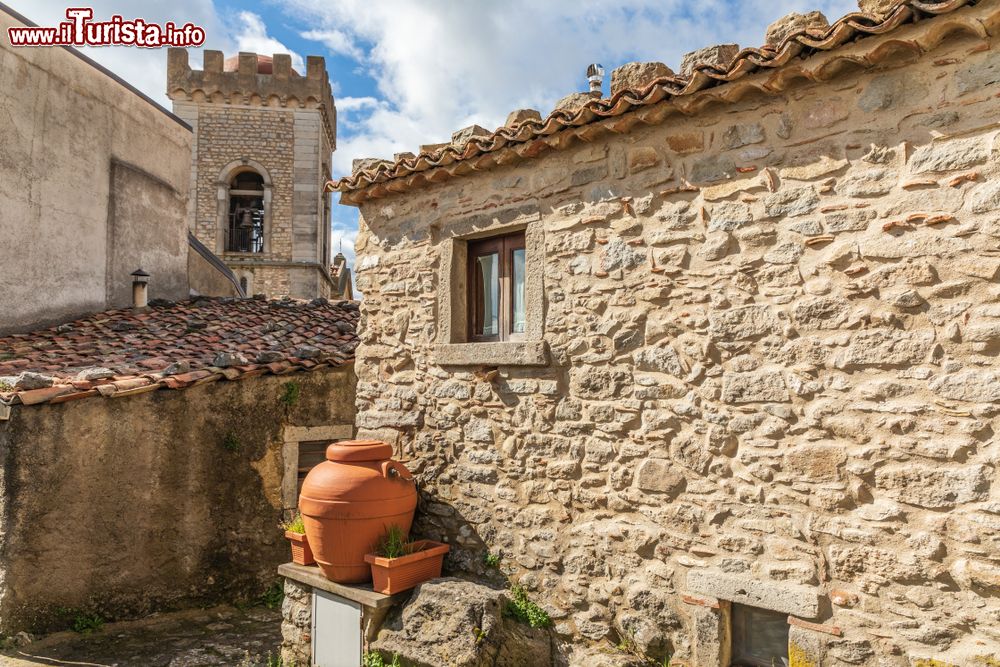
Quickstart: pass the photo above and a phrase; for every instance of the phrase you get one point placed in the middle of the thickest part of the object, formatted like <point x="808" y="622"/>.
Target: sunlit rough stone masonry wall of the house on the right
<point x="777" y="386"/>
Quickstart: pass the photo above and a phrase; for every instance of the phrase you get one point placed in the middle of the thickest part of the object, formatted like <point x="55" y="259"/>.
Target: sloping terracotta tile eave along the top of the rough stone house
<point x="781" y="63"/>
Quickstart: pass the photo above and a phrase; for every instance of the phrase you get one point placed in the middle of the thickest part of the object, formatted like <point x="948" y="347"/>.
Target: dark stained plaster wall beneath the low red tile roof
<point x="155" y="501"/>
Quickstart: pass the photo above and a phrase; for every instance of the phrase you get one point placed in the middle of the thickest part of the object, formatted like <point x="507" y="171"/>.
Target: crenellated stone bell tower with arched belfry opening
<point x="264" y="135"/>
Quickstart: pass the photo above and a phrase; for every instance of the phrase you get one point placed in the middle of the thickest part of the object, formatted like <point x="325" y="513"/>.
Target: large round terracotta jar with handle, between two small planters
<point x="348" y="502"/>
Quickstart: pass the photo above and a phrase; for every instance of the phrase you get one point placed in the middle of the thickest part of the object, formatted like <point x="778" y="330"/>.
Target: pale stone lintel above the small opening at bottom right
<point x="791" y="599"/>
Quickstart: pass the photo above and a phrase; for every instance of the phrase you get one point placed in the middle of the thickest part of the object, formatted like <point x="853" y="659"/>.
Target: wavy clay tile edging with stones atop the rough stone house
<point x="700" y="71"/>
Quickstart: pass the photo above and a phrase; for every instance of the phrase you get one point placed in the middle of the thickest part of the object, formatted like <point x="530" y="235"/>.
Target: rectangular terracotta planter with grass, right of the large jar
<point x="398" y="565"/>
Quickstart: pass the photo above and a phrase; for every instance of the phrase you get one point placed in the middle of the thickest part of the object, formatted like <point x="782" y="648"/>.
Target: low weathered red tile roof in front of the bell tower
<point x="173" y="346"/>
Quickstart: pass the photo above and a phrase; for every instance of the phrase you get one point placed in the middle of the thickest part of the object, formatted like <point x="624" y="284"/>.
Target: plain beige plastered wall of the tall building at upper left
<point x="75" y="226"/>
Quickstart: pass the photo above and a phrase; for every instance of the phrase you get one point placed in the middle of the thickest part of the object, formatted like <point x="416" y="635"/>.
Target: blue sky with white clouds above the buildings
<point x="410" y="72"/>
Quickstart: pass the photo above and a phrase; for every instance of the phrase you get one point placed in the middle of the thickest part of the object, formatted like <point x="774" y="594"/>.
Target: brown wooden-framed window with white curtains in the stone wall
<point x="497" y="288"/>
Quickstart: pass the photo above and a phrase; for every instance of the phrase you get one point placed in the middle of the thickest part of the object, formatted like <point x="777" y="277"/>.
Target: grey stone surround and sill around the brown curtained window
<point x="454" y="348"/>
